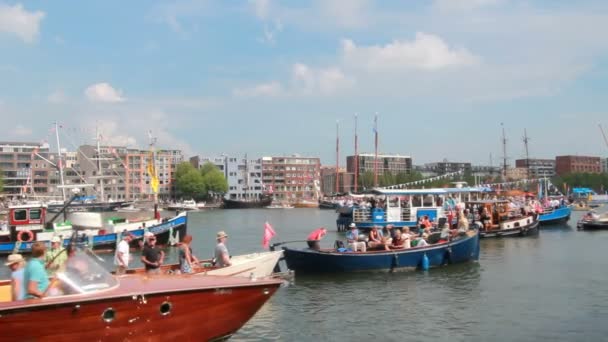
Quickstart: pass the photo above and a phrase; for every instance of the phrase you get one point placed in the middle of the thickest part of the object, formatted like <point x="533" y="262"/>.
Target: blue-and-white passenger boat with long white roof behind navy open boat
<point x="404" y="208"/>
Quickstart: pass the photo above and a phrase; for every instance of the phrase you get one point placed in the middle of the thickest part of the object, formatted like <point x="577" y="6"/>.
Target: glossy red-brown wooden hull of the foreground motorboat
<point x="195" y="314"/>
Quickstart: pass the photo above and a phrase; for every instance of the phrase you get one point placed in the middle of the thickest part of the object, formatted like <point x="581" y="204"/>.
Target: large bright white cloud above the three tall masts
<point x="426" y="52"/>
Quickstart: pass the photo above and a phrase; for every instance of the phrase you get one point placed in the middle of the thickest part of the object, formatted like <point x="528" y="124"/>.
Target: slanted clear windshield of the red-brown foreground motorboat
<point x="83" y="274"/>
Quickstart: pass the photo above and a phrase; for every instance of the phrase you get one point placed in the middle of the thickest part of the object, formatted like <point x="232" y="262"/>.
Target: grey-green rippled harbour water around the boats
<point x="553" y="287"/>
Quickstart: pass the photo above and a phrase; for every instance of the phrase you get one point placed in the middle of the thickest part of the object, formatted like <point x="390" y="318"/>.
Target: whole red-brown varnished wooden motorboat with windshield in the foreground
<point x="135" y="307"/>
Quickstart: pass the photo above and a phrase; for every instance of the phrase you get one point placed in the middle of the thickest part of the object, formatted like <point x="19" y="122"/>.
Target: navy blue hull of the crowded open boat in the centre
<point x="312" y="261"/>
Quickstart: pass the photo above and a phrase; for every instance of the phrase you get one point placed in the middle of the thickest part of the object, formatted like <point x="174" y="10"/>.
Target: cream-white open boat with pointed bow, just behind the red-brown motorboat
<point x="247" y="265"/>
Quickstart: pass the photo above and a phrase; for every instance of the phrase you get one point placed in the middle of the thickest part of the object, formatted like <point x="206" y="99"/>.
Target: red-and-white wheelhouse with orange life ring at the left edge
<point x="25" y="221"/>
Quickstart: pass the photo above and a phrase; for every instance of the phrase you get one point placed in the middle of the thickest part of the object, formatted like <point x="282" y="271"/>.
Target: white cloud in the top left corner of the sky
<point x="17" y="20"/>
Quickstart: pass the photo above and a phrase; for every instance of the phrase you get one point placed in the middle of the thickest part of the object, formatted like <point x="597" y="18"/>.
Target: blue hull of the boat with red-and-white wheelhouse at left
<point x="163" y="231"/>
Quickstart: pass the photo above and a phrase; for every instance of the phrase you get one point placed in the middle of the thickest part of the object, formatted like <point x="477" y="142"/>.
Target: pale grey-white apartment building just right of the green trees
<point x="244" y="176"/>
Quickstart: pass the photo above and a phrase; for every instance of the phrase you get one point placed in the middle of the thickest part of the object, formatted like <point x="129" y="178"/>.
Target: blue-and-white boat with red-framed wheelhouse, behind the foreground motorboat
<point x="27" y="225"/>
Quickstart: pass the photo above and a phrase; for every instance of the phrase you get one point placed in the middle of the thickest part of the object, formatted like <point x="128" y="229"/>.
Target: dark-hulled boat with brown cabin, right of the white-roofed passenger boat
<point x="502" y="221"/>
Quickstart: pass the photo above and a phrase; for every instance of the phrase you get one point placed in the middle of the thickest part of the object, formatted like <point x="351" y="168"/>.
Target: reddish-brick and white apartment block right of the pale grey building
<point x="290" y="178"/>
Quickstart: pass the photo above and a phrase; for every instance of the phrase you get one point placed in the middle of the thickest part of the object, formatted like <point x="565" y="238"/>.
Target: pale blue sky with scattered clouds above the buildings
<point x="265" y="77"/>
